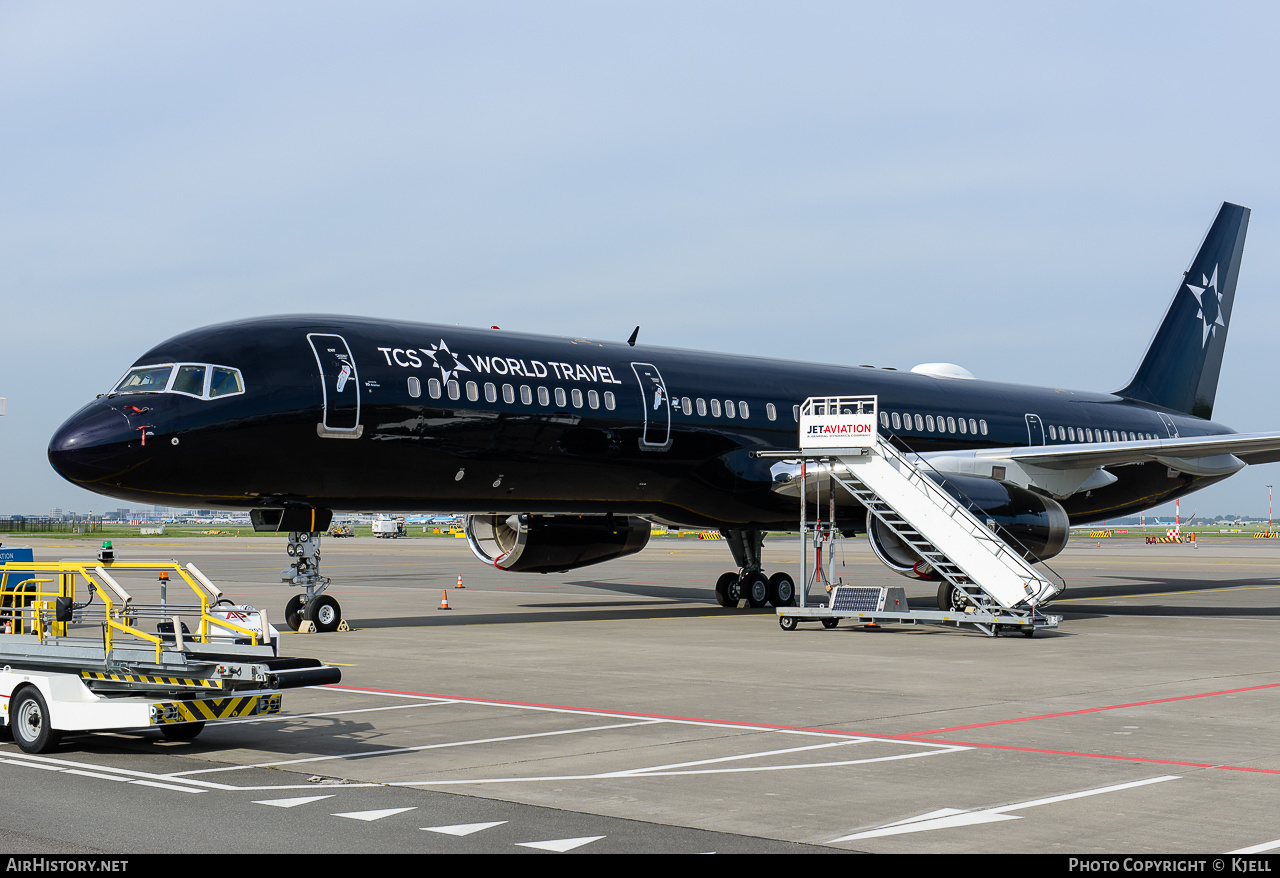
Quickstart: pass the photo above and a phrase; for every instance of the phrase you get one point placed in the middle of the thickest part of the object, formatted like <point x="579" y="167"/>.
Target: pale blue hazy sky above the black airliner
<point x="1012" y="188"/>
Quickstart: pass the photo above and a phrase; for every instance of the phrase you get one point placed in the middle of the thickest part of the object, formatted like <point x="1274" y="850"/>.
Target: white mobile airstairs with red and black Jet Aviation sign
<point x="991" y="584"/>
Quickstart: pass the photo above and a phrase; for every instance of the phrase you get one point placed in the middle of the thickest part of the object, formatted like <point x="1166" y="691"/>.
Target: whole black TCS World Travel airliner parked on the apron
<point x="563" y="451"/>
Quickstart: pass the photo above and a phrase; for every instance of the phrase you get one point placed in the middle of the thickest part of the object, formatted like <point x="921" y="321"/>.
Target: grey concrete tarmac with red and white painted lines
<point x="621" y="706"/>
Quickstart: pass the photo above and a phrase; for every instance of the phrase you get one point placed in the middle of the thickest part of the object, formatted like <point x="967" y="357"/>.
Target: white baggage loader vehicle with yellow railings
<point x="84" y="650"/>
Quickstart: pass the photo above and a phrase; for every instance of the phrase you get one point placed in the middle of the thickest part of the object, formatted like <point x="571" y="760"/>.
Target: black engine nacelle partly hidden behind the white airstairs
<point x="1036" y="522"/>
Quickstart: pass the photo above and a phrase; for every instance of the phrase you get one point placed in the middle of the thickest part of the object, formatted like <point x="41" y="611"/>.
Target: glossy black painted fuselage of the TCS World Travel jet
<point x="266" y="447"/>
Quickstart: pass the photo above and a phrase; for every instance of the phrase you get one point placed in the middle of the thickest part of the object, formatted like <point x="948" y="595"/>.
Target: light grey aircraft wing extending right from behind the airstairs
<point x="1249" y="447"/>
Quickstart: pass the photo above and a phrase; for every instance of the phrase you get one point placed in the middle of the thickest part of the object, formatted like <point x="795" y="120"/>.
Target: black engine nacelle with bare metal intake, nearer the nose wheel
<point x="548" y="545"/>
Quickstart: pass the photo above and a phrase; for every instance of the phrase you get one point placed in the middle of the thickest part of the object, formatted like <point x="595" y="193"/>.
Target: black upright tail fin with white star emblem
<point x="1185" y="359"/>
